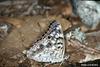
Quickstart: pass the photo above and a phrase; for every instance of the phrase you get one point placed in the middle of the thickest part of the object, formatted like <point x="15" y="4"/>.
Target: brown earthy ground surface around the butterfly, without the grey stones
<point x="28" y="26"/>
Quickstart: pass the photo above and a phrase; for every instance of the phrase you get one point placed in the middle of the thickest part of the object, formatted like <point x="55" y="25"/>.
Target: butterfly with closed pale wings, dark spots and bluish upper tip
<point x="51" y="47"/>
